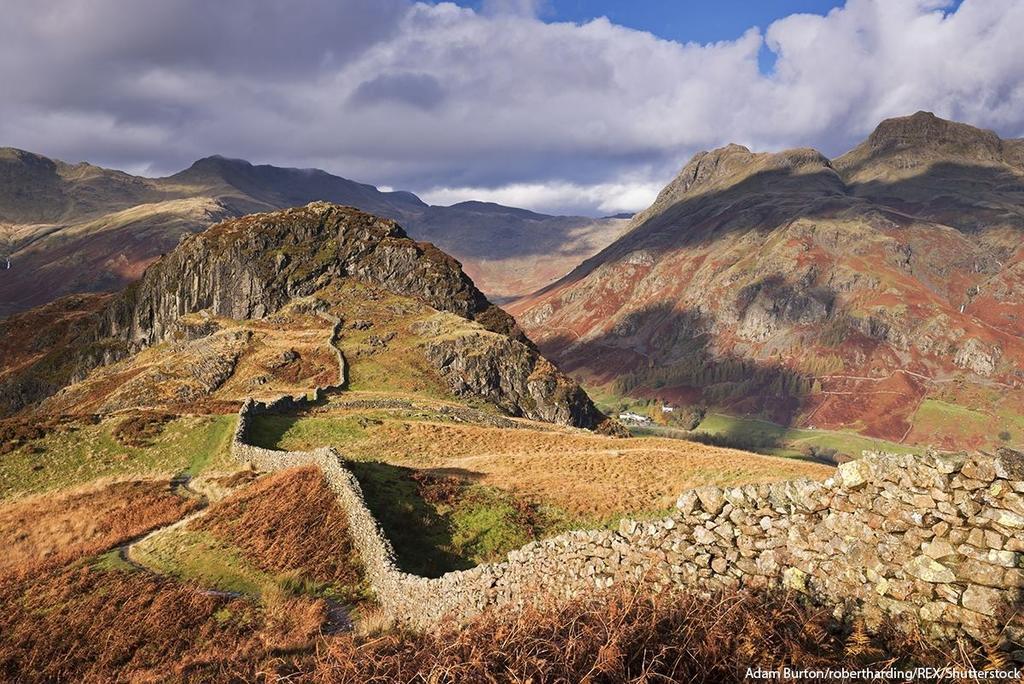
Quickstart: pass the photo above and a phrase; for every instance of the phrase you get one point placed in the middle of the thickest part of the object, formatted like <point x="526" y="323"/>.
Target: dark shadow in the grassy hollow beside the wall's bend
<point x="420" y="534"/>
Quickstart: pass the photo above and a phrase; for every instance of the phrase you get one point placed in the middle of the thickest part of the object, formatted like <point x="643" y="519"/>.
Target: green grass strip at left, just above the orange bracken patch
<point x="63" y="460"/>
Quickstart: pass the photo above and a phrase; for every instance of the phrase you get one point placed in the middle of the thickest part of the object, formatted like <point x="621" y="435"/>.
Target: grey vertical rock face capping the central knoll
<point x="250" y="268"/>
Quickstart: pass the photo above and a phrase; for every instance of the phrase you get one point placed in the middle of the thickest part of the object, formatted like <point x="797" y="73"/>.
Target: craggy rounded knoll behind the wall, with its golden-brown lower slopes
<point x="88" y="354"/>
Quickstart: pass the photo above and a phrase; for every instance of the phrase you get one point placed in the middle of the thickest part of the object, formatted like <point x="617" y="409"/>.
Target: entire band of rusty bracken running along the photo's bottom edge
<point x="84" y="624"/>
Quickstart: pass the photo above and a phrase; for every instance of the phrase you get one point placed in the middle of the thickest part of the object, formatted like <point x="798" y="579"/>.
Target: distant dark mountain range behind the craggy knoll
<point x="68" y="229"/>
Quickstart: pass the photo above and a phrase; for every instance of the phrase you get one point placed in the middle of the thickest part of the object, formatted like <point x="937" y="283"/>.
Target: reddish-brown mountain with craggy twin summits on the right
<point x="881" y="292"/>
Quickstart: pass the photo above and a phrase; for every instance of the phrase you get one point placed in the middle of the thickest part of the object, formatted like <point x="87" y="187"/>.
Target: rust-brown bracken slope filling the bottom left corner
<point x="84" y="624"/>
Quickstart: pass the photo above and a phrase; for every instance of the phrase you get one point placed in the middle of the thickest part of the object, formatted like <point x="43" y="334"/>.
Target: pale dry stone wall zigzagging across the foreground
<point x="931" y="540"/>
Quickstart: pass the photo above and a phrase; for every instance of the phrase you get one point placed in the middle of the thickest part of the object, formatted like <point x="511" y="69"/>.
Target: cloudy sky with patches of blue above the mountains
<point x="584" y="107"/>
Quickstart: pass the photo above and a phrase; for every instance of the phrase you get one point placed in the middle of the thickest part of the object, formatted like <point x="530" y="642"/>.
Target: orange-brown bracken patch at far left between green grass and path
<point x="59" y="528"/>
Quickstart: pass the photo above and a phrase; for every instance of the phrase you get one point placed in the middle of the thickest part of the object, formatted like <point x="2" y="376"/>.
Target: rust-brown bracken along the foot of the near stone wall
<point x="630" y="636"/>
